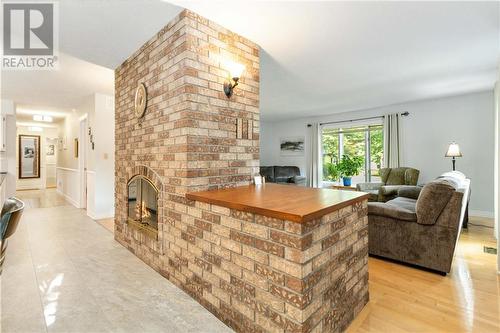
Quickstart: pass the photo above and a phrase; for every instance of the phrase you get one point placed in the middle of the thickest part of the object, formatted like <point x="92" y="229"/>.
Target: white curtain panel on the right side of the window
<point x="392" y="140"/>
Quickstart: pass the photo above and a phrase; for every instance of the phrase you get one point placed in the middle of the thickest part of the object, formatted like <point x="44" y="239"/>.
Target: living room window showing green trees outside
<point x="365" y="141"/>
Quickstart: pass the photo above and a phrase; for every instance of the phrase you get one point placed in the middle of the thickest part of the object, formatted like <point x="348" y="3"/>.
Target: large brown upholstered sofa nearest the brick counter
<point x="422" y="225"/>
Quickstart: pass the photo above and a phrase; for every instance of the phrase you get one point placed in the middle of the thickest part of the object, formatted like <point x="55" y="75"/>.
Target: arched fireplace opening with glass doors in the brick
<point x="143" y="202"/>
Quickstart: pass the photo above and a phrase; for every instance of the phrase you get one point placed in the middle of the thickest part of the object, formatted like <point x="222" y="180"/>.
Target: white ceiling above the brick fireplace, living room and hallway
<point x="316" y="58"/>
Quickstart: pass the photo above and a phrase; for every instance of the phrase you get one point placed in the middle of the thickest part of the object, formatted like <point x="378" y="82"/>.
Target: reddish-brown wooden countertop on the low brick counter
<point x="286" y="202"/>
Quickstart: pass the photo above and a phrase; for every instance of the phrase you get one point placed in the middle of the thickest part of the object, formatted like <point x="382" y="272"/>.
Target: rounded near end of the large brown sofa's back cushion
<point x="432" y="200"/>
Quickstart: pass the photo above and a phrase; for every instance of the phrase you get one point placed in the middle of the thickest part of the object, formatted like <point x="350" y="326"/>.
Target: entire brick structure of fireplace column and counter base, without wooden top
<point x="255" y="273"/>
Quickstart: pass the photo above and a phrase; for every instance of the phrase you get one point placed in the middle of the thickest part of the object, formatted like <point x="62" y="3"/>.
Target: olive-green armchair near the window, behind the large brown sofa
<point x="392" y="180"/>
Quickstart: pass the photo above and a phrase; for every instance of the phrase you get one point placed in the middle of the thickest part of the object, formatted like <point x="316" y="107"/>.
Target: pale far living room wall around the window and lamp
<point x="431" y="126"/>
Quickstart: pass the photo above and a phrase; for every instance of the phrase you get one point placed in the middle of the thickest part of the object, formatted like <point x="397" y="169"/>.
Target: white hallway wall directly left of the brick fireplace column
<point x="99" y="110"/>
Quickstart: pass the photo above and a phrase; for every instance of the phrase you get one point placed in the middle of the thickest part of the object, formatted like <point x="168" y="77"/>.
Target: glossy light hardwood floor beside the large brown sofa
<point x="405" y="299"/>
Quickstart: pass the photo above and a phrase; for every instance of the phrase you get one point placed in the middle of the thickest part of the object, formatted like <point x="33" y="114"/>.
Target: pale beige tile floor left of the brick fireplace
<point x="65" y="273"/>
